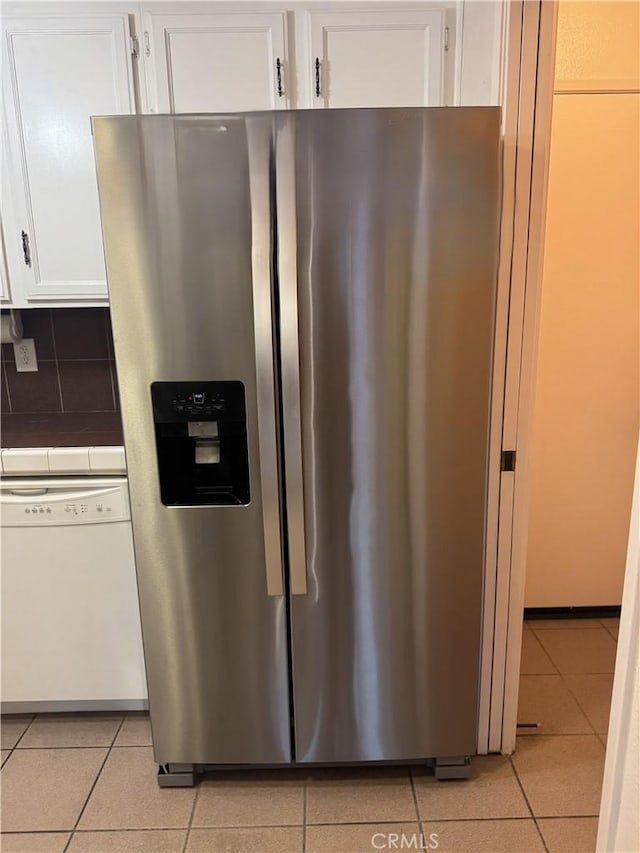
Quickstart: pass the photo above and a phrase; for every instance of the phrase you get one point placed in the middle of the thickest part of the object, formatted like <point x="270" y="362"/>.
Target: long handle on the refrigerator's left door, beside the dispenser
<point x="259" y="143"/>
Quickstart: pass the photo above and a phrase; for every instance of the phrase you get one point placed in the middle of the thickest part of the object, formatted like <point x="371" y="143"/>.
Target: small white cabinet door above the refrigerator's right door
<point x="377" y="58"/>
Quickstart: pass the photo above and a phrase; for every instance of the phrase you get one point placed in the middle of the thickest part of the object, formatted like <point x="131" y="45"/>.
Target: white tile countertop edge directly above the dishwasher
<point x="20" y="461"/>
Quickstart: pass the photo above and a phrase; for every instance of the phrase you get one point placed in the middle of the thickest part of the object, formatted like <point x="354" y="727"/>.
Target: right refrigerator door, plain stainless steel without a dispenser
<point x="388" y="223"/>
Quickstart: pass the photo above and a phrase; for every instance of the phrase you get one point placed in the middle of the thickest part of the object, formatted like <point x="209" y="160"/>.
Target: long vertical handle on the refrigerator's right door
<point x="288" y="278"/>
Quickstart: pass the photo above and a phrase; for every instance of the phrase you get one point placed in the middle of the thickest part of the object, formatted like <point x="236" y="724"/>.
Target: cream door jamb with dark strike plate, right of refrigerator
<point x="526" y="97"/>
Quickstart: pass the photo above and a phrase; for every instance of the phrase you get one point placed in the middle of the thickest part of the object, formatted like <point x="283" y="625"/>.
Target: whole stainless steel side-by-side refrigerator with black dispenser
<point x="303" y="312"/>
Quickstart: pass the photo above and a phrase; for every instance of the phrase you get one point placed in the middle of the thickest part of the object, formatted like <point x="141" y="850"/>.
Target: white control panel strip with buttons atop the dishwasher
<point x="29" y="505"/>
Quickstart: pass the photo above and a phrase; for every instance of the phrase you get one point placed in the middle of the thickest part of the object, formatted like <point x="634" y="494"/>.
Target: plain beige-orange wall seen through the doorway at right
<point x="586" y="407"/>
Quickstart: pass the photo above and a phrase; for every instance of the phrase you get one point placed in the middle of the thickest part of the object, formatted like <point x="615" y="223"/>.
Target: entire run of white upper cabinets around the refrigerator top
<point x="64" y="62"/>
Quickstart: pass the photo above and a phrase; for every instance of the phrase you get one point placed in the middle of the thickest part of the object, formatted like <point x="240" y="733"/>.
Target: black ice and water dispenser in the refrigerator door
<point x="201" y="443"/>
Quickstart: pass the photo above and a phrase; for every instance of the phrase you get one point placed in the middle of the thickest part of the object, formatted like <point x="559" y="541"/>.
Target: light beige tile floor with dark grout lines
<point x="86" y="783"/>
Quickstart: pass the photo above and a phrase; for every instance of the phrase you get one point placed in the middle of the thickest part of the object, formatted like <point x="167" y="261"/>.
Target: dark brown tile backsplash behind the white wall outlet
<point x="76" y="370"/>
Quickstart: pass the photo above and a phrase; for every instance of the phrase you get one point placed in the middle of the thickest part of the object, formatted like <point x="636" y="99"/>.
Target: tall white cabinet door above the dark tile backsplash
<point x="57" y="72"/>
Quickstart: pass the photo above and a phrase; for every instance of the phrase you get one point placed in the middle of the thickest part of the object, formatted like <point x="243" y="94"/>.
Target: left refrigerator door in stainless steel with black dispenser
<point x="188" y="236"/>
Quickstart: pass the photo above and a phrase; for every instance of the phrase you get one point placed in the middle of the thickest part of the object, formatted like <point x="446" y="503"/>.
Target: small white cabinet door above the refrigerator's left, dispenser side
<point x="215" y="62"/>
